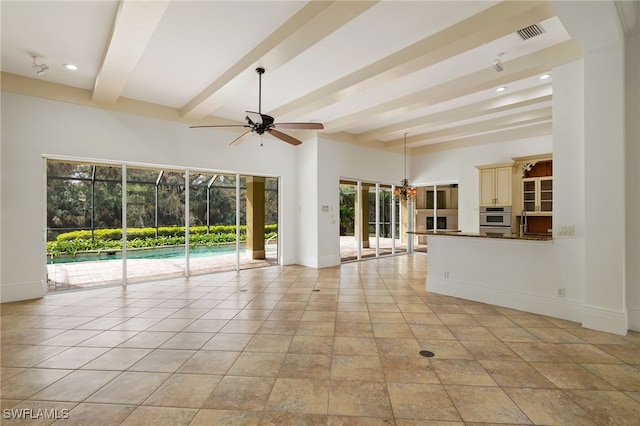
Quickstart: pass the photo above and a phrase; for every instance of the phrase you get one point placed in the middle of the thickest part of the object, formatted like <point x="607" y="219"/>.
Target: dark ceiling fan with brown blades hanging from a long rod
<point x="259" y="123"/>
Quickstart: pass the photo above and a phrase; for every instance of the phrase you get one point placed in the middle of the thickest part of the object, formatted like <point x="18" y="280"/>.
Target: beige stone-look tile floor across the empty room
<point x="301" y="346"/>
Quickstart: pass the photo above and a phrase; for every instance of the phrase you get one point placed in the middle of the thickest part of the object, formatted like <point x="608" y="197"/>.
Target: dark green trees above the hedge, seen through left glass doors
<point x="83" y="196"/>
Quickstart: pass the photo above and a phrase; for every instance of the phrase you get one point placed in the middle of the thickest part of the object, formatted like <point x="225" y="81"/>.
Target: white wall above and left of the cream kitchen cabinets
<point x="458" y="165"/>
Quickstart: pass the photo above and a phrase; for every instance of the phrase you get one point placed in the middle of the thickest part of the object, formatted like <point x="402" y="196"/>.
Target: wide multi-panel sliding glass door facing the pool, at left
<point x="175" y="222"/>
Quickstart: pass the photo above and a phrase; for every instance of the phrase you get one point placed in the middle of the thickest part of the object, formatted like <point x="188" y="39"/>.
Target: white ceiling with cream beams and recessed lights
<point x="370" y="71"/>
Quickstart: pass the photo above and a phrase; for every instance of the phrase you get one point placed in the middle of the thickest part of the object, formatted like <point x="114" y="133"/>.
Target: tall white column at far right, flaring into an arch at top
<point x="606" y="109"/>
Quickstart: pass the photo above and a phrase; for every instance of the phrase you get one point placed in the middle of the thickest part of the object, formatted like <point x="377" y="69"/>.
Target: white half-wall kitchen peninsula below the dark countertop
<point x="498" y="270"/>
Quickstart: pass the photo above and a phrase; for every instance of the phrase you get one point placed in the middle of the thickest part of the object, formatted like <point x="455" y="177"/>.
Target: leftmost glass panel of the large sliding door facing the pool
<point x="84" y="207"/>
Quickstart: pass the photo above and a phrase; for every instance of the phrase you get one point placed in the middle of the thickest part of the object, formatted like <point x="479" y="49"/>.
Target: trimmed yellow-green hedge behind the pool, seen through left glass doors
<point x="111" y="239"/>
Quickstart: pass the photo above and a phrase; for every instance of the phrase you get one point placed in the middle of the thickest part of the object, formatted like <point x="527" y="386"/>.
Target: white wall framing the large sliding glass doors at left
<point x="33" y="127"/>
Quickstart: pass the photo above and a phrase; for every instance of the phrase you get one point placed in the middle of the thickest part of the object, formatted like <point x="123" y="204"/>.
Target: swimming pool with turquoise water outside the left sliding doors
<point x="173" y="252"/>
